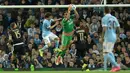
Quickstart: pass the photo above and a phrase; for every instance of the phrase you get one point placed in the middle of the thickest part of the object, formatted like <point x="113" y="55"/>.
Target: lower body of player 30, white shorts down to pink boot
<point x="109" y="56"/>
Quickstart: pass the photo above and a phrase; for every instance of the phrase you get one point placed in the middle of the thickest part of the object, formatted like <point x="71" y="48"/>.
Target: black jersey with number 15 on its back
<point x="16" y="36"/>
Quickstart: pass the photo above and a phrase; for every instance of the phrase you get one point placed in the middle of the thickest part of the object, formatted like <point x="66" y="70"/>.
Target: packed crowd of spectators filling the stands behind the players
<point x="30" y="22"/>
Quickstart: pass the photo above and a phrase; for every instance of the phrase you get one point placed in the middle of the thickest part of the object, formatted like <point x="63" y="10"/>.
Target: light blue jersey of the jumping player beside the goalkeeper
<point x="46" y="27"/>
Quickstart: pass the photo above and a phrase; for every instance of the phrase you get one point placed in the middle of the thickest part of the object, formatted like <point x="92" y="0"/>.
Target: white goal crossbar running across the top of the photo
<point x="65" y="6"/>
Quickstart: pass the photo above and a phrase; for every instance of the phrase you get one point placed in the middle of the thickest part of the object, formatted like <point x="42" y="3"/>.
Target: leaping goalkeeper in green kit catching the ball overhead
<point x="68" y="30"/>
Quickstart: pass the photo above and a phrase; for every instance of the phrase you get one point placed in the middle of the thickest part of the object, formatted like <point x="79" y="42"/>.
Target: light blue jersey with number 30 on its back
<point x="111" y="23"/>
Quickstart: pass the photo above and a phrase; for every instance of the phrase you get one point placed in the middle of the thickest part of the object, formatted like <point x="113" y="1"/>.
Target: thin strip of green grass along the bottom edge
<point x="127" y="71"/>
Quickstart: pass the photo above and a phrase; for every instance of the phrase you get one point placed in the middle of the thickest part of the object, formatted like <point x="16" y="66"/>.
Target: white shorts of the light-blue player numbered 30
<point x="108" y="46"/>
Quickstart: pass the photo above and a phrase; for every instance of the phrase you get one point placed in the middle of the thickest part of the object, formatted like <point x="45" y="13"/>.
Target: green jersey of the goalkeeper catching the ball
<point x="68" y="25"/>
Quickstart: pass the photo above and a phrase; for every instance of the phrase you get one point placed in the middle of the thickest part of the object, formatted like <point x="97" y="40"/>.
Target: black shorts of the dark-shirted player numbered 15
<point x="19" y="49"/>
